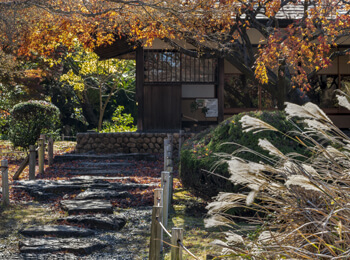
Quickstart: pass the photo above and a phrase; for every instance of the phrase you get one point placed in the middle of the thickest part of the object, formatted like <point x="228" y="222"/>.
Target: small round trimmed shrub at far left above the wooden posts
<point x="30" y="119"/>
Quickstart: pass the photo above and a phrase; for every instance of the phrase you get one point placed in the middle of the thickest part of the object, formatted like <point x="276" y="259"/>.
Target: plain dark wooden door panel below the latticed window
<point x="162" y="107"/>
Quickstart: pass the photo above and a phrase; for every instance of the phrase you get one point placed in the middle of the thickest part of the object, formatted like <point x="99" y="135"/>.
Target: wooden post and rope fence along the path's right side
<point x="162" y="199"/>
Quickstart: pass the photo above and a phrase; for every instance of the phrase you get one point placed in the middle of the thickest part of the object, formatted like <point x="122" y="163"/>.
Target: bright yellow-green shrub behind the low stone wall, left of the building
<point x="120" y="122"/>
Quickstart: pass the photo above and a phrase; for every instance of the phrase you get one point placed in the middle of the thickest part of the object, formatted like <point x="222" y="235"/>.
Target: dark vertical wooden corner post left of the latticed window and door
<point x="139" y="87"/>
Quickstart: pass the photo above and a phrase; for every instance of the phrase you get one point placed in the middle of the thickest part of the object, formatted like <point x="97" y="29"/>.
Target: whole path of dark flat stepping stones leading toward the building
<point x="91" y="207"/>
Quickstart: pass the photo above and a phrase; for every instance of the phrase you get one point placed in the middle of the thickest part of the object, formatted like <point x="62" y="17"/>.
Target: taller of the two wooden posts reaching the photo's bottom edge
<point x="155" y="243"/>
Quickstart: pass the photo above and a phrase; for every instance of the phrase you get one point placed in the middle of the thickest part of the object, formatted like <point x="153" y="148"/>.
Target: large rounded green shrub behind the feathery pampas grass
<point x="198" y="154"/>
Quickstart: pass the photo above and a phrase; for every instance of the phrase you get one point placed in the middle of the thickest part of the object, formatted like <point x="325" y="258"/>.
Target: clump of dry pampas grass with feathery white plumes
<point x="302" y="204"/>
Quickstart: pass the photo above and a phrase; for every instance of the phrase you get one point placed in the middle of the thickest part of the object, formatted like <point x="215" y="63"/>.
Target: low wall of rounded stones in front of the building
<point x="124" y="142"/>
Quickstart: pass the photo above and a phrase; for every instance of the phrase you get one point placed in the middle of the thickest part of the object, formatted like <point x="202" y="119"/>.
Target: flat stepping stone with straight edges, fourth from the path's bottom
<point x="87" y="206"/>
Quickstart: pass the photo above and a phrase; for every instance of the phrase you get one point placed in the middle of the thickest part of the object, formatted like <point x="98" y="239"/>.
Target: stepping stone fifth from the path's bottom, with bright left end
<point x="102" y="194"/>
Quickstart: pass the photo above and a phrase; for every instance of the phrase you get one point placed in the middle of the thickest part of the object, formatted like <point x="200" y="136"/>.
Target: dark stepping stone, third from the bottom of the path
<point x="98" y="221"/>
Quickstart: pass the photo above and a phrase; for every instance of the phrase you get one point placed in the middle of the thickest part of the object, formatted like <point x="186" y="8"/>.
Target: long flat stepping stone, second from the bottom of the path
<point x="57" y="231"/>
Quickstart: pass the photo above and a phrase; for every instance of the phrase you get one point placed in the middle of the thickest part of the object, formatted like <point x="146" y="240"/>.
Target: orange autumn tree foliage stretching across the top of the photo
<point x="296" y="35"/>
